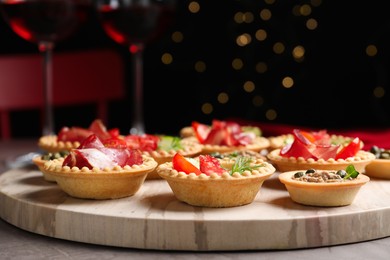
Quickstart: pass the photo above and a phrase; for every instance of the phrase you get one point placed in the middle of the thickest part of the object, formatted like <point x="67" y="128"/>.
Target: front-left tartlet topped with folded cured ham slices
<point x="97" y="170"/>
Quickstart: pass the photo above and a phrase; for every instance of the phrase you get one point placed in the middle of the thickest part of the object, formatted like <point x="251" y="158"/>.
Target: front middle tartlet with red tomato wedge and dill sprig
<point x="210" y="182"/>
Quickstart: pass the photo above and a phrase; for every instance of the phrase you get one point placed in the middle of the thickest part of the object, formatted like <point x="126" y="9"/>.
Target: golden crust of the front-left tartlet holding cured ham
<point x="95" y="183"/>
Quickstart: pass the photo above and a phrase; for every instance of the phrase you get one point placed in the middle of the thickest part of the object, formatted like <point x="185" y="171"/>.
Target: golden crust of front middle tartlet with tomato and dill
<point x="215" y="190"/>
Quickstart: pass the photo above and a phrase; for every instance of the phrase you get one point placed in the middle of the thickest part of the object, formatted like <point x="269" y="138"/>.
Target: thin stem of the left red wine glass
<point x="46" y="49"/>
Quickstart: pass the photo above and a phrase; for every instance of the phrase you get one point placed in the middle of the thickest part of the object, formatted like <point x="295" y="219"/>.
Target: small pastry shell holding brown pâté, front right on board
<point x="322" y="194"/>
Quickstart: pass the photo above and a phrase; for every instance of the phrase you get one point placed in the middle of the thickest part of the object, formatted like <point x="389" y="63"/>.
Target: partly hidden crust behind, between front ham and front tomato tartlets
<point x="190" y="149"/>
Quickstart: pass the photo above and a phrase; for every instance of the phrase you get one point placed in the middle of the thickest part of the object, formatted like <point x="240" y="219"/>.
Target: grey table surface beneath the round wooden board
<point x="16" y="243"/>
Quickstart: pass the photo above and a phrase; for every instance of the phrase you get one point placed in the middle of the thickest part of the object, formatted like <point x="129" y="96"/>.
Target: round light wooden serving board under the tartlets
<point x="154" y="219"/>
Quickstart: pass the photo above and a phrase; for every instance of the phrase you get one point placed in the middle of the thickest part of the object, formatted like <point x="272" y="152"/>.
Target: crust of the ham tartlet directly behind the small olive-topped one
<point x="284" y="164"/>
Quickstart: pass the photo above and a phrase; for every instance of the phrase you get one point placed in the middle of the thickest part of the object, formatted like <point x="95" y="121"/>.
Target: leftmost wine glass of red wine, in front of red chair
<point x="45" y="22"/>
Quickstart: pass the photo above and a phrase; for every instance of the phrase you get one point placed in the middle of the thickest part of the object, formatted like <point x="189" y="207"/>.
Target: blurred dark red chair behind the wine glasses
<point x="79" y="77"/>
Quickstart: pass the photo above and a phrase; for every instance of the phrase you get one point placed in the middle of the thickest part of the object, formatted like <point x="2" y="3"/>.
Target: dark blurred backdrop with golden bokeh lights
<point x="319" y="64"/>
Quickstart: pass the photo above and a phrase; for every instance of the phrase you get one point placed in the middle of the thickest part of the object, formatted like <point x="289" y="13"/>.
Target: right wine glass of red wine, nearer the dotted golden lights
<point x="135" y="23"/>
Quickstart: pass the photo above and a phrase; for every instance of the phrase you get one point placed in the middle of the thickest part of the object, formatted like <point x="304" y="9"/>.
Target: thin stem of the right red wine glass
<point x="138" y="126"/>
